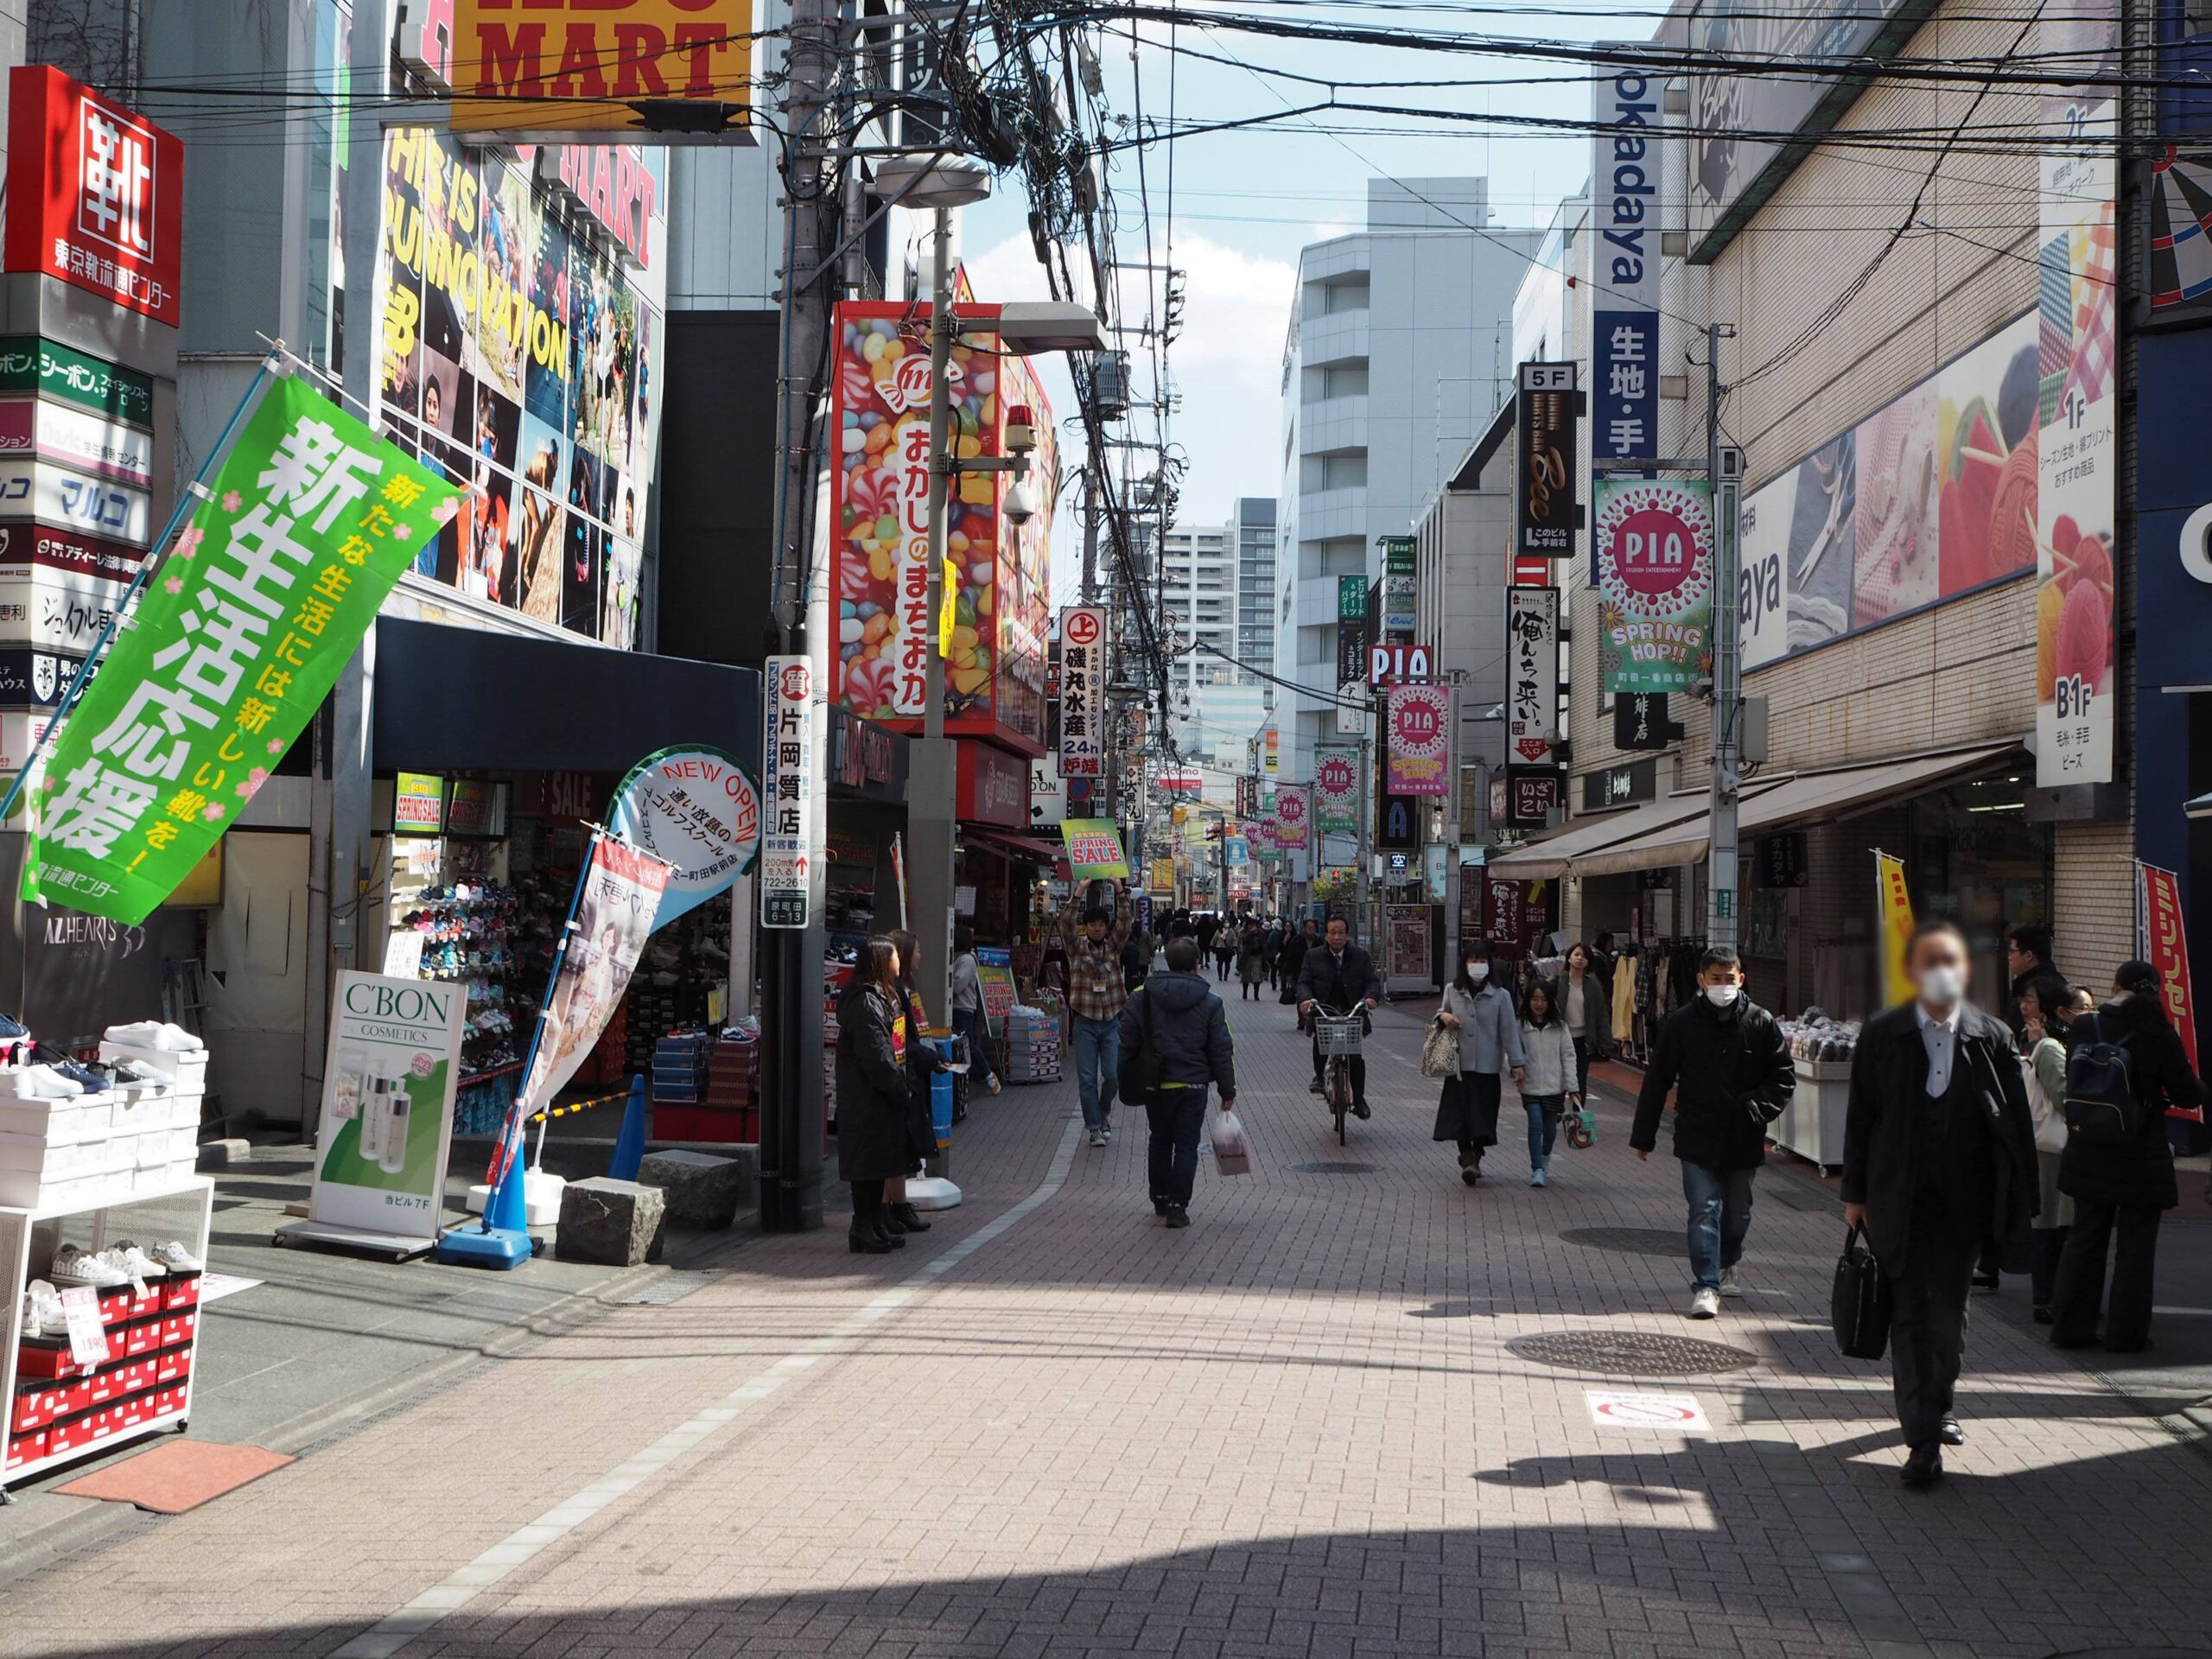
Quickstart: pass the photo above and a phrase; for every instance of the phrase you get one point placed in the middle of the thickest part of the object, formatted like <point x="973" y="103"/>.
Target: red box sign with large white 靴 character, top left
<point x="96" y="194"/>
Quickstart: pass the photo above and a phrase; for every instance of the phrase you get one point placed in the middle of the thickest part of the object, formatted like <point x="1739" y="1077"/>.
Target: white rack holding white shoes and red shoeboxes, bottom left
<point x="56" y="1412"/>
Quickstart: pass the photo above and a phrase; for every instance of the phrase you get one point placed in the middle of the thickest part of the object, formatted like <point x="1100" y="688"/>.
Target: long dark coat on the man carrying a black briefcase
<point x="1892" y="1127"/>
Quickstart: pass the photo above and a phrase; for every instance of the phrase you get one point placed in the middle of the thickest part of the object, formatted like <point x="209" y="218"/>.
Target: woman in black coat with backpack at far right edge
<point x="2122" y="1189"/>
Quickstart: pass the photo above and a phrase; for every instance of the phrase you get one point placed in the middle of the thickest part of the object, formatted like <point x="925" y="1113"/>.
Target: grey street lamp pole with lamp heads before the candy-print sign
<point x="941" y="185"/>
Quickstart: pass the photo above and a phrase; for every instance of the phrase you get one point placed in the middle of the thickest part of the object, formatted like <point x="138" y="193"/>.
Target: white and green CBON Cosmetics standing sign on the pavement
<point x="388" y="1105"/>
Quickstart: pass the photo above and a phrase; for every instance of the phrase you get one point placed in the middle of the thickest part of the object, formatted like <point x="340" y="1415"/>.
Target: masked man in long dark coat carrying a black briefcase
<point x="1939" y="1165"/>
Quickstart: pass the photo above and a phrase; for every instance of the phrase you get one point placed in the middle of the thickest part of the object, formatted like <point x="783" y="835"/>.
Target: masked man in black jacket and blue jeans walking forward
<point x="1731" y="1072"/>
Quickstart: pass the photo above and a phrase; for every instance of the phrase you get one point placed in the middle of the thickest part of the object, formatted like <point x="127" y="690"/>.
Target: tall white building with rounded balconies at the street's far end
<point x="1401" y="348"/>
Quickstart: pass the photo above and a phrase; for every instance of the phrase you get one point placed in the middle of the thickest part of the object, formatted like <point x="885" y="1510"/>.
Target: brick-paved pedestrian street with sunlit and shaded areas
<point x="1293" y="1430"/>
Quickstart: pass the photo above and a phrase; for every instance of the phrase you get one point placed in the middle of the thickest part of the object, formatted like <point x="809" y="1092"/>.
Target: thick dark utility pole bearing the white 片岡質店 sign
<point x="793" y="981"/>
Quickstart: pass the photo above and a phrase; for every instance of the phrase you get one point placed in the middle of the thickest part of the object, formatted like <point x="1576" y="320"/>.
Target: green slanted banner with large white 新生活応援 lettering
<point x="229" y="654"/>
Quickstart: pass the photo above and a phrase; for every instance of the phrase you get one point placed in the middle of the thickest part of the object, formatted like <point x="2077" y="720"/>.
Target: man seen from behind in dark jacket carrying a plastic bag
<point x="1180" y="1023"/>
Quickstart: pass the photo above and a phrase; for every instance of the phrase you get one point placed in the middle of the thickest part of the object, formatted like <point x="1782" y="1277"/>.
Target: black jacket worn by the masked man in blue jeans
<point x="1731" y="1076"/>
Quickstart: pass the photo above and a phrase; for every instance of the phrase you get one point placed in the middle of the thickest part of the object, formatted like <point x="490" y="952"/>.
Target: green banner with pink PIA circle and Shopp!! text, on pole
<point x="1653" y="547"/>
